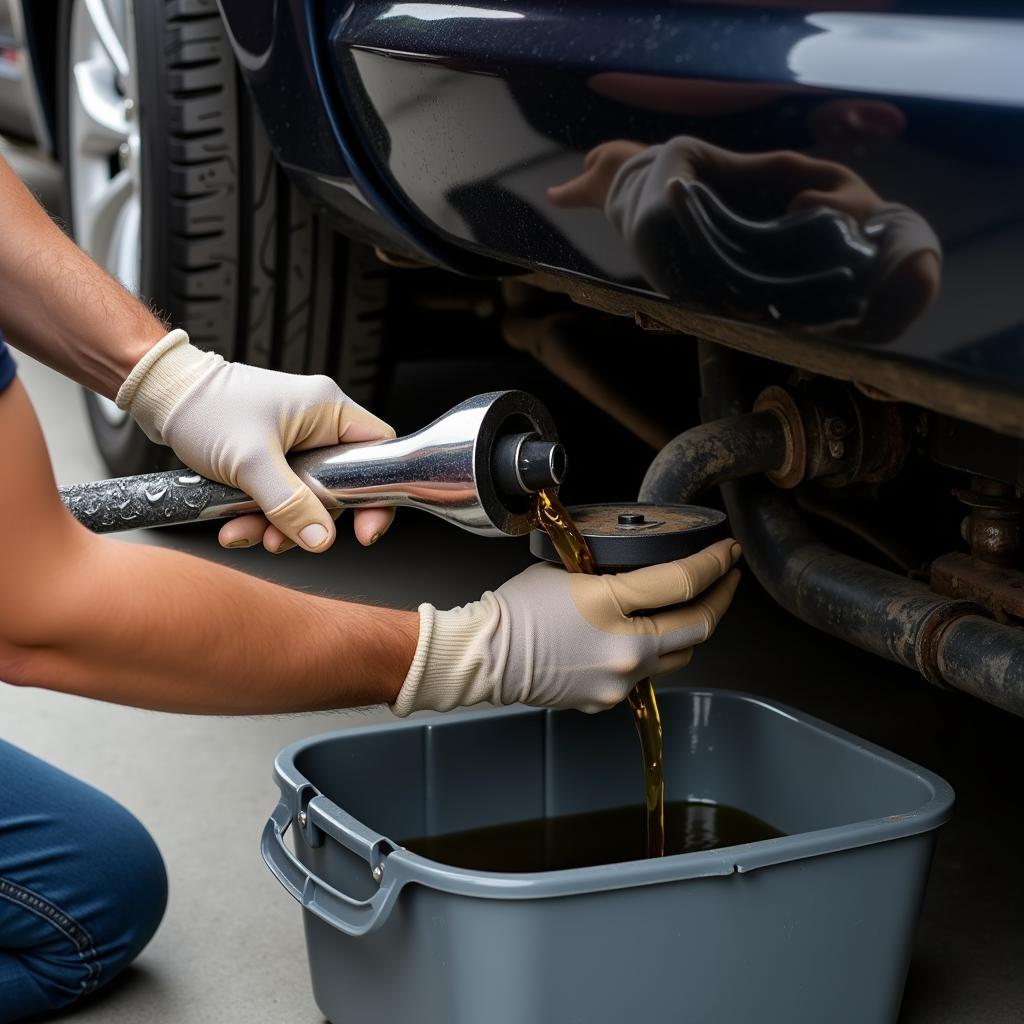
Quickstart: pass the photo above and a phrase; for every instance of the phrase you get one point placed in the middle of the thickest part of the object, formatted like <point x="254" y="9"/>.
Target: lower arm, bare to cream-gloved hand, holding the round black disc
<point x="157" y="629"/>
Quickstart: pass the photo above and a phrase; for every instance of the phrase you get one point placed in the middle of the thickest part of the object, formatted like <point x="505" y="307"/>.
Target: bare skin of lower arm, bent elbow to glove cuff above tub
<point x="145" y="626"/>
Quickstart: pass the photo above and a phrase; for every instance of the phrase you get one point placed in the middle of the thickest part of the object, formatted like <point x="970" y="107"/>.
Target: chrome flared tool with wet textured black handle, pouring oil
<point x="454" y="468"/>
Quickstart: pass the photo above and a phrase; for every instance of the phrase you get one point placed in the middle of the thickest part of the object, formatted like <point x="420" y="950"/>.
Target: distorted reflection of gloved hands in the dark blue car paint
<point x="775" y="236"/>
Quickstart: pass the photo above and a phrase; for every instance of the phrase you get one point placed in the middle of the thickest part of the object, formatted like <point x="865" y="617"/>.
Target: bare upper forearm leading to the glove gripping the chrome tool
<point x="60" y="307"/>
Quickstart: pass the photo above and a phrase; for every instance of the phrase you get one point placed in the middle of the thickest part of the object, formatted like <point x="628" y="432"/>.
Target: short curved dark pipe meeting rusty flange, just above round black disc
<point x="714" y="453"/>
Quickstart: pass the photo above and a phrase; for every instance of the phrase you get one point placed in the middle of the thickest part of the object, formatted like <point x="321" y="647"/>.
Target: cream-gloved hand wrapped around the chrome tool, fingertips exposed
<point x="236" y="423"/>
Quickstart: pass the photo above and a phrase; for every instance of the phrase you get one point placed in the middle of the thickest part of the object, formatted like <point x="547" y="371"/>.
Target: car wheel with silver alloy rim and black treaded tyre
<point x="174" y="189"/>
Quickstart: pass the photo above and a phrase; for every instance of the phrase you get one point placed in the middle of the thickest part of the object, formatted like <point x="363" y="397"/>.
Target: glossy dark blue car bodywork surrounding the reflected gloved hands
<point x="445" y="124"/>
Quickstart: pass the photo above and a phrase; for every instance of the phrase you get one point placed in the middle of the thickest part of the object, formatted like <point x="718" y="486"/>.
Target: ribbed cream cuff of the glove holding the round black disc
<point x="452" y="667"/>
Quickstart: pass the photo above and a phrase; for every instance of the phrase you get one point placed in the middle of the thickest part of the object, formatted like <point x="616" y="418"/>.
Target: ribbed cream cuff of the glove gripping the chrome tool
<point x="160" y="379"/>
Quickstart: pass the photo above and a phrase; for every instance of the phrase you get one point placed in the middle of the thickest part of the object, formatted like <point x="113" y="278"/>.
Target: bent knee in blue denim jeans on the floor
<point x="82" y="887"/>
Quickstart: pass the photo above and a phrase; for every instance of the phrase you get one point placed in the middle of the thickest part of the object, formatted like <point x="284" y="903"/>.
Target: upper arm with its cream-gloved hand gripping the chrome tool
<point x="231" y="422"/>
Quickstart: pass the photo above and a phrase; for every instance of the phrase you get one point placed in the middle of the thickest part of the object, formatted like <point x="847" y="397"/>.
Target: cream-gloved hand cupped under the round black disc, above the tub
<point x="557" y="639"/>
